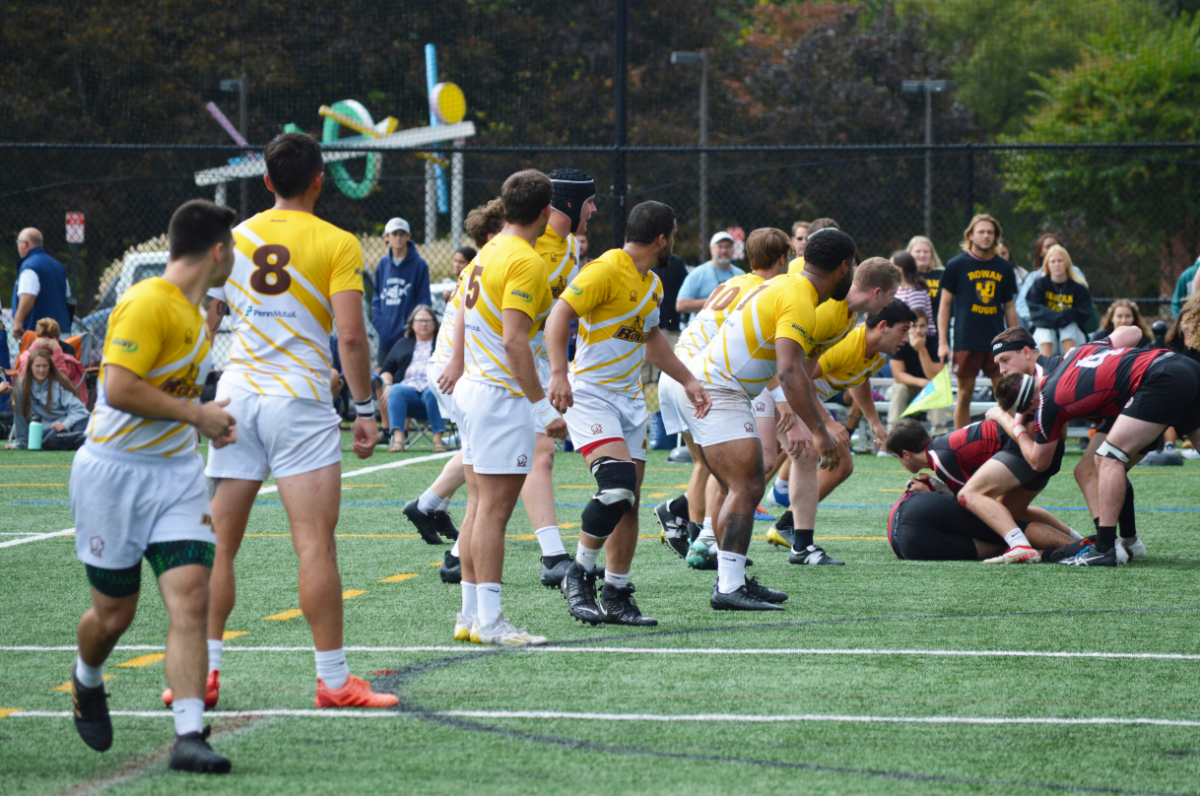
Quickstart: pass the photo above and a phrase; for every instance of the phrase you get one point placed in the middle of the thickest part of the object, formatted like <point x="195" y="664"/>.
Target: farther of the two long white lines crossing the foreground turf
<point x="699" y="651"/>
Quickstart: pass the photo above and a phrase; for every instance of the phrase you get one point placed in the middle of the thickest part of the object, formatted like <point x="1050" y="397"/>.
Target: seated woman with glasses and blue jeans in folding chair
<point x="407" y="392"/>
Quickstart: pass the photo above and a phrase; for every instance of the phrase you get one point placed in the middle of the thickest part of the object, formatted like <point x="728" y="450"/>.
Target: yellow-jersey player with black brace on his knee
<point x="616" y="301"/>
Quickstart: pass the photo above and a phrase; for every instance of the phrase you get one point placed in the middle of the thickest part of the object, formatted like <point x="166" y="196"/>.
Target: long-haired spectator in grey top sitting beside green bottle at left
<point x="44" y="394"/>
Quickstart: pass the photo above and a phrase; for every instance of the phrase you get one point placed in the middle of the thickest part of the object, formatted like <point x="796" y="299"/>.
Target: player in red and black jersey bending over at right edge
<point x="1144" y="391"/>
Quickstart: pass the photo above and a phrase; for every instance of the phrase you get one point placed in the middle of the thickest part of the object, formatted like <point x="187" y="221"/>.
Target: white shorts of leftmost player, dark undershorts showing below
<point x="123" y="504"/>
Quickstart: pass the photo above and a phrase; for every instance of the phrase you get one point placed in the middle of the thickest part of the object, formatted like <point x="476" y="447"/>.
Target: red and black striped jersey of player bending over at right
<point x="1095" y="381"/>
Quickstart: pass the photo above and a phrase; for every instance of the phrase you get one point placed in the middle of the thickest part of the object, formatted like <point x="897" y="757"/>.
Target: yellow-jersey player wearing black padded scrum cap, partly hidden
<point x="569" y="212"/>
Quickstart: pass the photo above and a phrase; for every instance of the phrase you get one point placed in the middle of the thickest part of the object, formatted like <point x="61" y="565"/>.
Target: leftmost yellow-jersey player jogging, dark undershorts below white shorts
<point x="137" y="486"/>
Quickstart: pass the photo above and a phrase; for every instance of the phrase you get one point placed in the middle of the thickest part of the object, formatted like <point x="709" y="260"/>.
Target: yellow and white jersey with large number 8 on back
<point x="286" y="266"/>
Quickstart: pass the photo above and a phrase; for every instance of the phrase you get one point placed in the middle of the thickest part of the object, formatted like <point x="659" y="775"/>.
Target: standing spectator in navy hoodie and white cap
<point x="403" y="282"/>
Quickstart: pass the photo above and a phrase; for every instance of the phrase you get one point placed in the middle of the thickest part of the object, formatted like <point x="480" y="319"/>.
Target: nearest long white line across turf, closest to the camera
<point x="729" y="719"/>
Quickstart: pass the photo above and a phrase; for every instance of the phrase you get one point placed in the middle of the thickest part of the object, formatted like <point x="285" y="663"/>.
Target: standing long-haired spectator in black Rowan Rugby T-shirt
<point x="979" y="288"/>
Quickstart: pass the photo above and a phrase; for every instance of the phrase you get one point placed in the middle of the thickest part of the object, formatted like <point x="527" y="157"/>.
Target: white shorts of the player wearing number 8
<point x="277" y="435"/>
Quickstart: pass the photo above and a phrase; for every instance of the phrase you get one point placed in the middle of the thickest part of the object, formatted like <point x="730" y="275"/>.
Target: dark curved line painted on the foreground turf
<point x="398" y="681"/>
